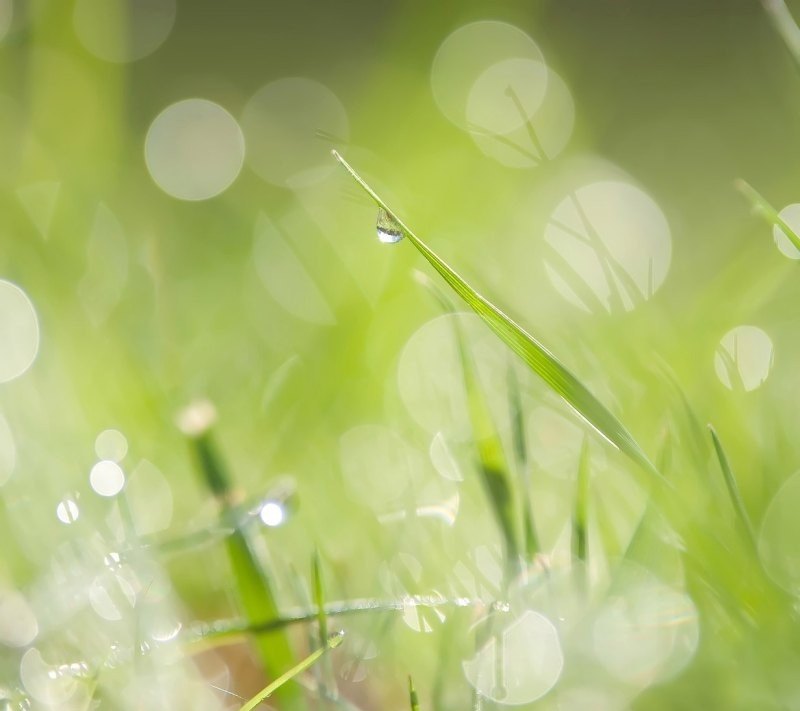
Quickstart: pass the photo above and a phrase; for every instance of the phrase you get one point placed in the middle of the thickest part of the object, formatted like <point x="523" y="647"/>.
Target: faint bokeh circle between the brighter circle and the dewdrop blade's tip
<point x="290" y="125"/>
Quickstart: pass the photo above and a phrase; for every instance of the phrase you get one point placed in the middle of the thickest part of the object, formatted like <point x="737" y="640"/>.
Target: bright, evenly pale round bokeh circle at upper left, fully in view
<point x="194" y="149"/>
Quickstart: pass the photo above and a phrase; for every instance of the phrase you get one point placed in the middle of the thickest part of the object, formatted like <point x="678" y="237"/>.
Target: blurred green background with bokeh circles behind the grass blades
<point x="174" y="229"/>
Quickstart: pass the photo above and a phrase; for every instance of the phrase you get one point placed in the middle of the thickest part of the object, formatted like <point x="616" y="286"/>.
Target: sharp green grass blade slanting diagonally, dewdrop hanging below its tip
<point x="533" y="353"/>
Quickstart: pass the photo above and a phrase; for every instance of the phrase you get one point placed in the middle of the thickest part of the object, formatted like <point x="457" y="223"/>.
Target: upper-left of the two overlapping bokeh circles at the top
<point x="474" y="54"/>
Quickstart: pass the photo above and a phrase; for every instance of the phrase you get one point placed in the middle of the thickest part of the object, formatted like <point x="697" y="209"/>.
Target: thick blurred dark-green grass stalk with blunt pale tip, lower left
<point x="252" y="582"/>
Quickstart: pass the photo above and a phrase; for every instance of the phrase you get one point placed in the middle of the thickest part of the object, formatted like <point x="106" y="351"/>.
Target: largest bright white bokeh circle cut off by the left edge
<point x="19" y="332"/>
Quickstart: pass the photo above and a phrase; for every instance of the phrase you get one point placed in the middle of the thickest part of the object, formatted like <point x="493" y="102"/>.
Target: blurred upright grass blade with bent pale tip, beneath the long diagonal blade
<point x="495" y="473"/>
